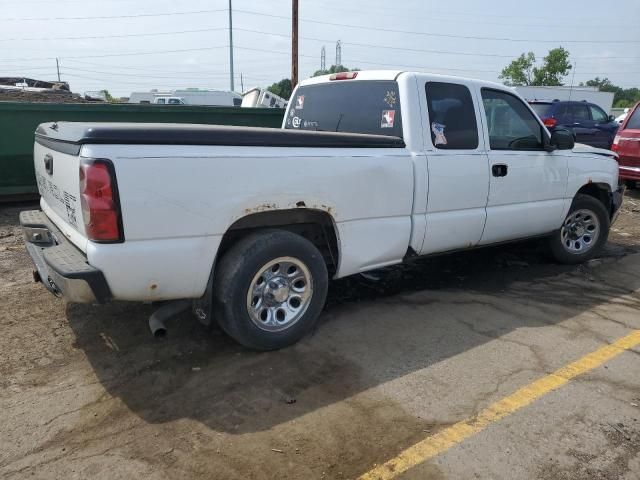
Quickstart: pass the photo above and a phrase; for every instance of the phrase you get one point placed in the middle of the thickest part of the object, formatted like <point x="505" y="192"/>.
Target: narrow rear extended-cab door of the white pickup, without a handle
<point x="457" y="165"/>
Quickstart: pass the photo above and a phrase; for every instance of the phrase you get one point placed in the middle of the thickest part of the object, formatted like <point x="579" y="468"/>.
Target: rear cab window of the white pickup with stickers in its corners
<point x="347" y="106"/>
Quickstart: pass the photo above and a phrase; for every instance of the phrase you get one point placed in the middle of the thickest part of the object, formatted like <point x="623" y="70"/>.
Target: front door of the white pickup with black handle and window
<point x="527" y="184"/>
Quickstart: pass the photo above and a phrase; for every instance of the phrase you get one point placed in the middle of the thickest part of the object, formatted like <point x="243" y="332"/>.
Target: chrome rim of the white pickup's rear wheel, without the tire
<point x="279" y="294"/>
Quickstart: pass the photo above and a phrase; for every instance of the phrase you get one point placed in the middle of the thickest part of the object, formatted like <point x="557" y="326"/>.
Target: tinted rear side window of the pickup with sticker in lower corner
<point x="452" y="116"/>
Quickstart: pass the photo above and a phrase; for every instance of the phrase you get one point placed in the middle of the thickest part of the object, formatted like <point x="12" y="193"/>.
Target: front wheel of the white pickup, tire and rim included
<point x="583" y="232"/>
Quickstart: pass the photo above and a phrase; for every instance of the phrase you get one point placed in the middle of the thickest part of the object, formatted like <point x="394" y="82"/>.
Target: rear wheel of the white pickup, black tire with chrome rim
<point x="272" y="271"/>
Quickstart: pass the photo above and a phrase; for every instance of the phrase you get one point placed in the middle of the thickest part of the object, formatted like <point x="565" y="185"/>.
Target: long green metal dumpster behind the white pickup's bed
<point x="18" y="122"/>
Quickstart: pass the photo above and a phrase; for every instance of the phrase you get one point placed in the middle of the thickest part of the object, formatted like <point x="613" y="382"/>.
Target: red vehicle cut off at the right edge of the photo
<point x="627" y="144"/>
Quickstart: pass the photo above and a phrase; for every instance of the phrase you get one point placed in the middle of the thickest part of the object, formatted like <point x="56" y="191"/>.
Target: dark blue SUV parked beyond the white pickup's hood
<point x="589" y="123"/>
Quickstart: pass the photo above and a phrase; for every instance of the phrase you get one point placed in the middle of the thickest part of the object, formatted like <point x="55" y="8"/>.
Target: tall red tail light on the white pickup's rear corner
<point x="100" y="202"/>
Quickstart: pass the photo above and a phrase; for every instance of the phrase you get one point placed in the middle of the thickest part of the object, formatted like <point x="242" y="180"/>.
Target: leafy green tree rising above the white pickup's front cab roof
<point x="522" y="71"/>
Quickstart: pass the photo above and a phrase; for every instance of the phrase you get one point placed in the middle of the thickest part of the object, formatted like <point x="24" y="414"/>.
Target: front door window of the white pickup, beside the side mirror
<point x="511" y="125"/>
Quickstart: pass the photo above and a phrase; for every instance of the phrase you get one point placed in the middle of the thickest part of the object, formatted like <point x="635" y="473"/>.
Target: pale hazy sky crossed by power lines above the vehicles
<point x="127" y="45"/>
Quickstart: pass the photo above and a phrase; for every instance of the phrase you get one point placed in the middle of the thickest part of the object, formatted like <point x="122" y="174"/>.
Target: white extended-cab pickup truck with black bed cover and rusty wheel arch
<point x="247" y="225"/>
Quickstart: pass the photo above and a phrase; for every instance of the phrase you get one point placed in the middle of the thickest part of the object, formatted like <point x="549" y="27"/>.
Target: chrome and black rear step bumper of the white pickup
<point x="60" y="266"/>
